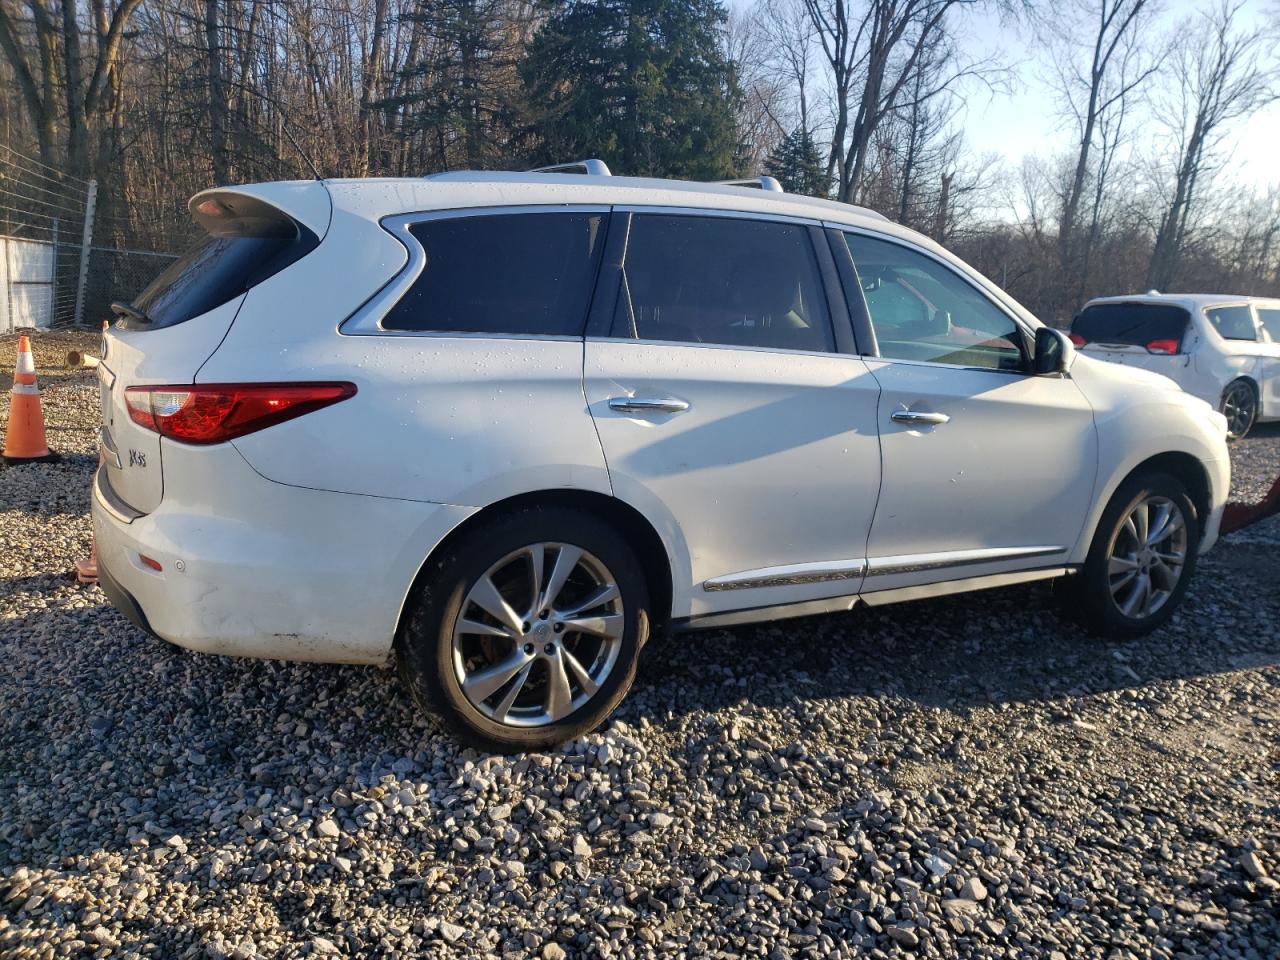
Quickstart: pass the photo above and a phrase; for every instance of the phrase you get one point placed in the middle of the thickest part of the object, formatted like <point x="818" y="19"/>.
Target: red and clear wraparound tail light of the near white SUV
<point x="207" y="414"/>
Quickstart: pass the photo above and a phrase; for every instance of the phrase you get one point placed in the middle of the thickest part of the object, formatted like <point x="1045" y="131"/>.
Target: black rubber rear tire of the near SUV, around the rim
<point x="424" y="647"/>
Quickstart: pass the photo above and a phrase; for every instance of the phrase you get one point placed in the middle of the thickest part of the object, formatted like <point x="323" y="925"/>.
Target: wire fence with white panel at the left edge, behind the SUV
<point x="62" y="260"/>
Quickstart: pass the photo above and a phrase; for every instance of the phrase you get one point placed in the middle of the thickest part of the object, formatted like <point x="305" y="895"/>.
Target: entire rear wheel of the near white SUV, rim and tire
<point x="528" y="633"/>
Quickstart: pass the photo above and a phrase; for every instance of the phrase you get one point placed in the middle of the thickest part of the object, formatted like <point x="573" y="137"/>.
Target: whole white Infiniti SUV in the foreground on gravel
<point x="505" y="427"/>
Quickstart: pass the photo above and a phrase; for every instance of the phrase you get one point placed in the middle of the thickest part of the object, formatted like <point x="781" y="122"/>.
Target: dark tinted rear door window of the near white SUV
<point x="714" y="280"/>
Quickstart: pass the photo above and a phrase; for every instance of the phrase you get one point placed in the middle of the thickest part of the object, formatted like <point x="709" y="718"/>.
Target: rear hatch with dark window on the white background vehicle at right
<point x="1149" y="336"/>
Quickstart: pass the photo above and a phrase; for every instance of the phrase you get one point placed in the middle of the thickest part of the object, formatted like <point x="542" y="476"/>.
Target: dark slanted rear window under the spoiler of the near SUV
<point x="249" y="241"/>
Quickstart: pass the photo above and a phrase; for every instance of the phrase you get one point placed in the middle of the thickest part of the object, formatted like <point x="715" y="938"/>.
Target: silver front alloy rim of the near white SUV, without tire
<point x="1148" y="559"/>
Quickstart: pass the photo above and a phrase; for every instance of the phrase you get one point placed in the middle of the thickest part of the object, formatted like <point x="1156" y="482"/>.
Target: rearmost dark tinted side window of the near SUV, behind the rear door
<point x="506" y="273"/>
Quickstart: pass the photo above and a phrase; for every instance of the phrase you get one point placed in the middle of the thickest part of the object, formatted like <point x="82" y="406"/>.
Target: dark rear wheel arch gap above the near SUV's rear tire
<point x="639" y="533"/>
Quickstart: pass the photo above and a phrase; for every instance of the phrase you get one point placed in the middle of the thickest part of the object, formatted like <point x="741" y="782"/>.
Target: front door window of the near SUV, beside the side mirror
<point x="922" y="310"/>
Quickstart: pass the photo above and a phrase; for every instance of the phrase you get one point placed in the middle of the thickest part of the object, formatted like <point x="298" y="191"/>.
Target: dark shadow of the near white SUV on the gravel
<point x="258" y="721"/>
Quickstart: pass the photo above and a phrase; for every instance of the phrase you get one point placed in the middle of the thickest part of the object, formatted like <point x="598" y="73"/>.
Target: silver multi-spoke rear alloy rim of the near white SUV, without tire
<point x="538" y="636"/>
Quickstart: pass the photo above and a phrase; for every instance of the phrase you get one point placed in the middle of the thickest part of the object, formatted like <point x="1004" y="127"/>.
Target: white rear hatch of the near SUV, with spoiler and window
<point x="167" y="333"/>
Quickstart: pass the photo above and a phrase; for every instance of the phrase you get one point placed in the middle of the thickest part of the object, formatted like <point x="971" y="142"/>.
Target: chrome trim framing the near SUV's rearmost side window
<point x="368" y="319"/>
